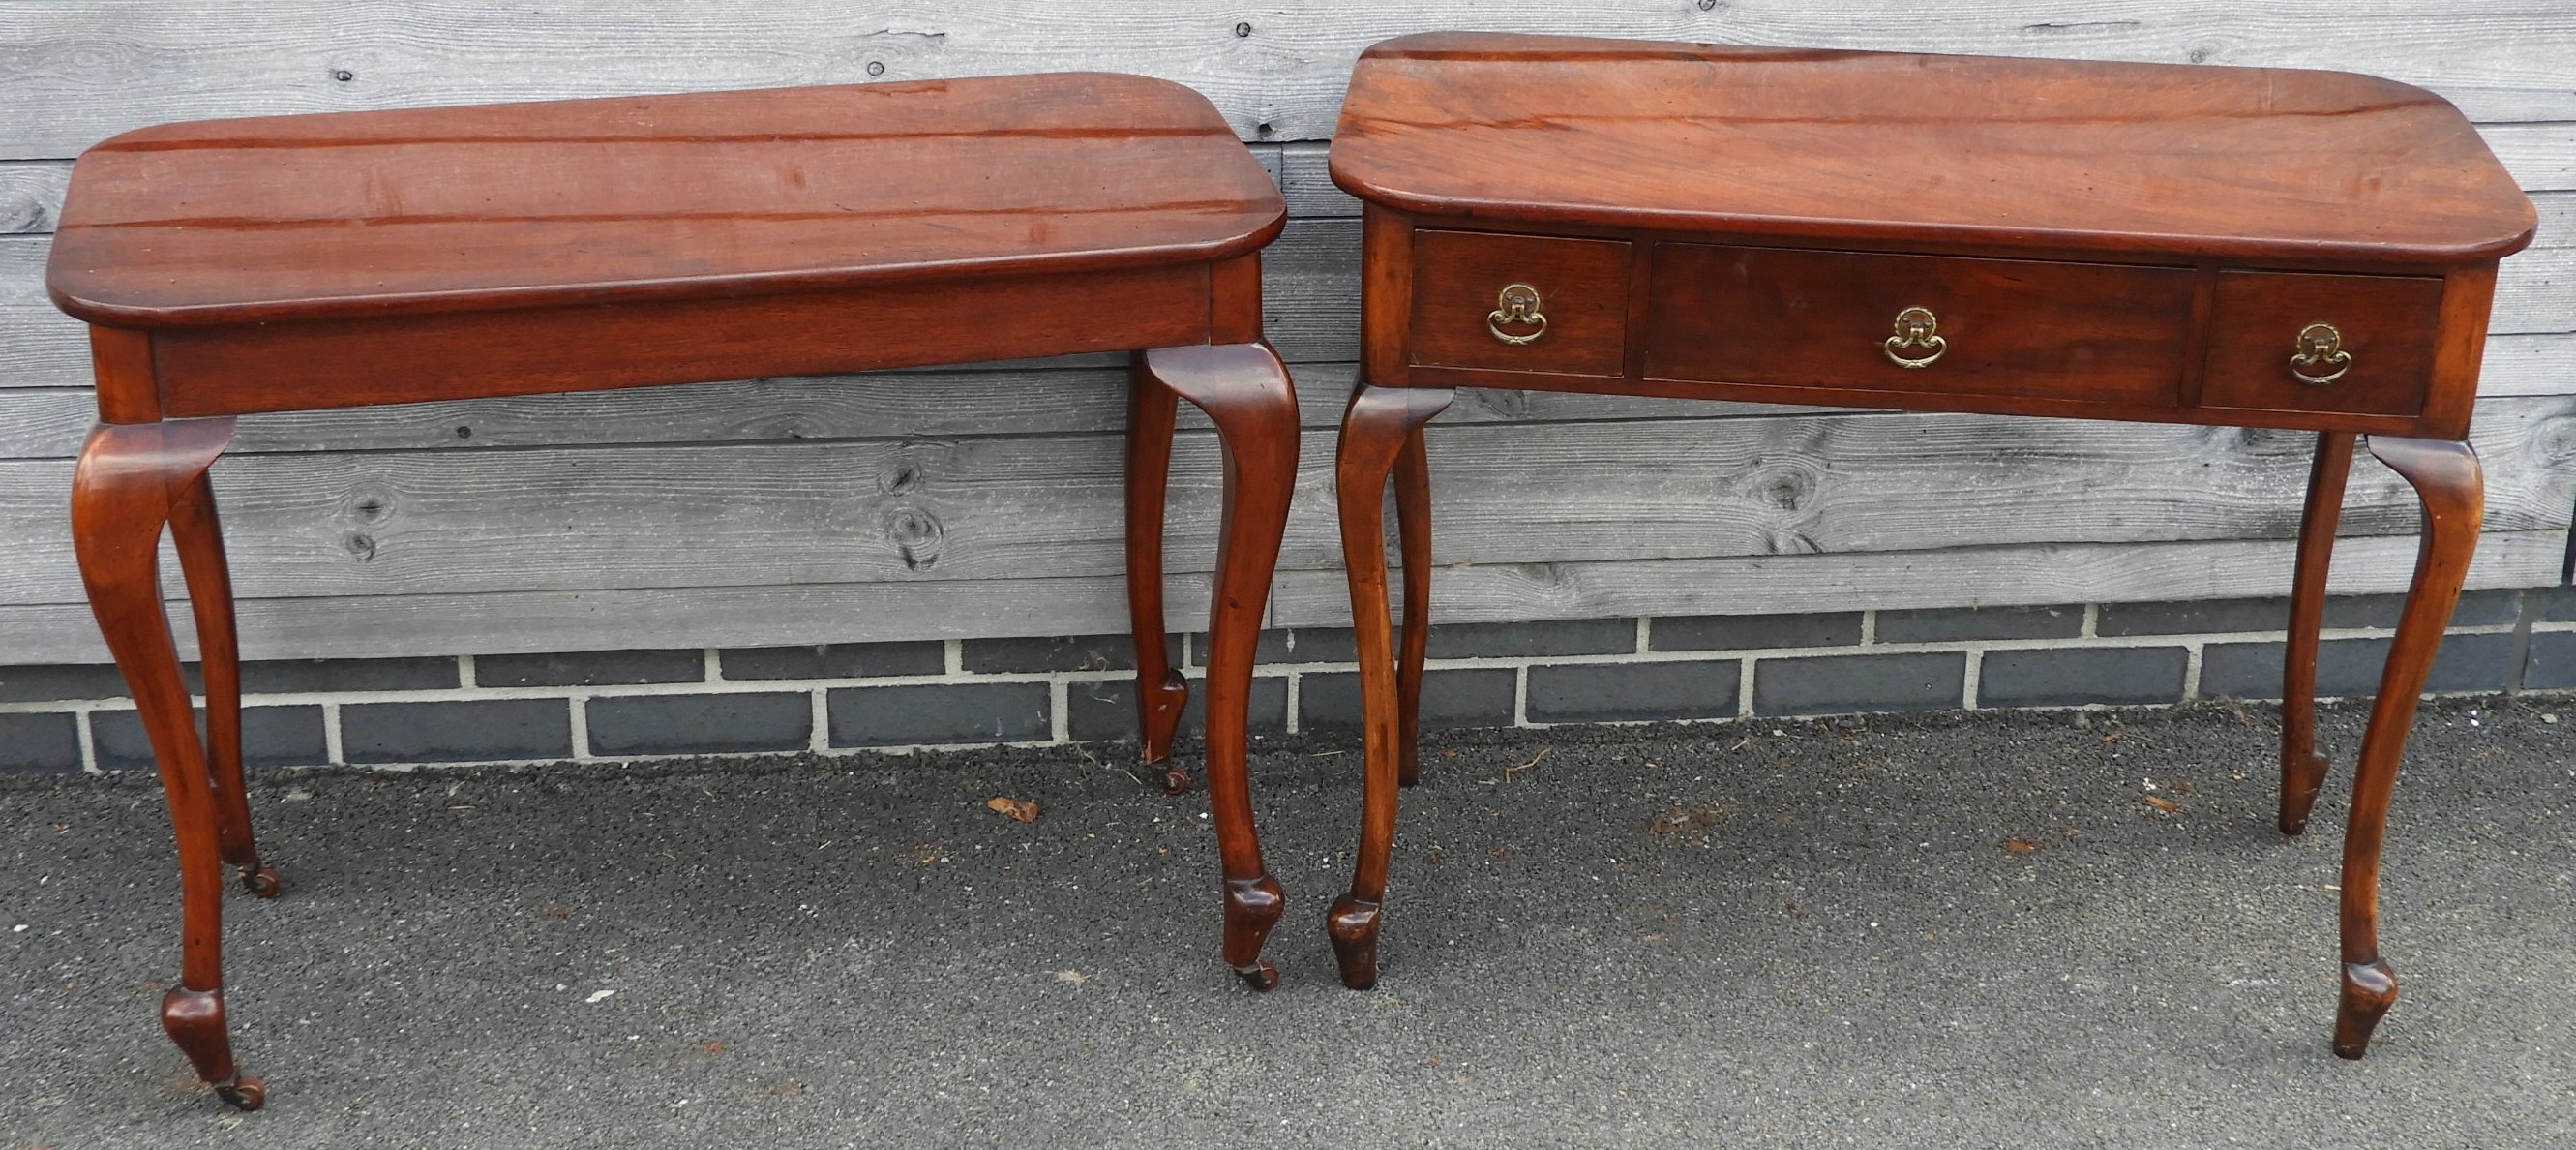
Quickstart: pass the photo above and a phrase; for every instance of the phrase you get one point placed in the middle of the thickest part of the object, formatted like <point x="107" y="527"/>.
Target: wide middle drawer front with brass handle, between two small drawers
<point x="2021" y="329"/>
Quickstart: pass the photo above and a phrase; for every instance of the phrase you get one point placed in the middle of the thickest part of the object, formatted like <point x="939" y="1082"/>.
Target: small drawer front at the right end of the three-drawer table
<point x="2327" y="344"/>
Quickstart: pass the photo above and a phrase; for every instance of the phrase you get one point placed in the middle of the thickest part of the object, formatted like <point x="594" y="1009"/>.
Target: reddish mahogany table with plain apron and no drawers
<point x="359" y="259"/>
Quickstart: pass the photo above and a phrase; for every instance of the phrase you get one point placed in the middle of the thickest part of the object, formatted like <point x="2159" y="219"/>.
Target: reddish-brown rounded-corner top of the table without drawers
<point x="658" y="197"/>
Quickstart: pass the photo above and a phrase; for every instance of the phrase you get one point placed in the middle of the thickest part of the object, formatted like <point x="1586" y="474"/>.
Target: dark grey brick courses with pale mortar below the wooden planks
<point x="1078" y="690"/>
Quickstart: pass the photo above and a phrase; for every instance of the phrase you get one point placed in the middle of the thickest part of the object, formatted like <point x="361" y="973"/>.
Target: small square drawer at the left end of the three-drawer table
<point x="1521" y="303"/>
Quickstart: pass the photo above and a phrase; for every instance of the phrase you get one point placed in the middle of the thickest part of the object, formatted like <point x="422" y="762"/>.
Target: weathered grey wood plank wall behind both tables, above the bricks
<point x="764" y="512"/>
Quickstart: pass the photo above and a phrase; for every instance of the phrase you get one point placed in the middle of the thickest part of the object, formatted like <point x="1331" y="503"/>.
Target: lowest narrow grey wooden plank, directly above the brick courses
<point x="877" y="612"/>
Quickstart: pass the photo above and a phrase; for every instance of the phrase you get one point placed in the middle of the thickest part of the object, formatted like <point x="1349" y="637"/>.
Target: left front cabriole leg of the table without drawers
<point x="130" y="483"/>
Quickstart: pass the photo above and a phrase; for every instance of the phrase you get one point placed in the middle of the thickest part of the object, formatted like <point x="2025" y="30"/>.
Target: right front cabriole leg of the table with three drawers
<point x="2454" y="491"/>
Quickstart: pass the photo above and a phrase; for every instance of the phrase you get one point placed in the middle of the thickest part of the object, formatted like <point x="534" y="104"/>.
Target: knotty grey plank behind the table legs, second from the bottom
<point x="1016" y="507"/>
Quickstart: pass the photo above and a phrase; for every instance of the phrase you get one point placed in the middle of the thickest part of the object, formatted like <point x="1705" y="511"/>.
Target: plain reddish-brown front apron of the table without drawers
<point x="643" y="344"/>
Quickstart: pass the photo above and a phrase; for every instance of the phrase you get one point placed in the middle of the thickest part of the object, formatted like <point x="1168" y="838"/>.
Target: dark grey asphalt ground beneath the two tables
<point x="1866" y="932"/>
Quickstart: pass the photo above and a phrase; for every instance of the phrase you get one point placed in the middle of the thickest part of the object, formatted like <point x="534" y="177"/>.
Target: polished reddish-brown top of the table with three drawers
<point x="1889" y="151"/>
